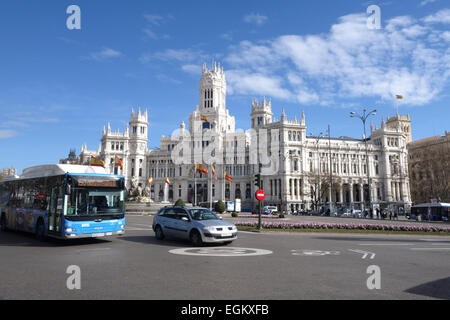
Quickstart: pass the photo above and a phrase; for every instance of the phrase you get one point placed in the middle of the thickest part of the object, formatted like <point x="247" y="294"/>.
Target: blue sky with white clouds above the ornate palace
<point x="59" y="87"/>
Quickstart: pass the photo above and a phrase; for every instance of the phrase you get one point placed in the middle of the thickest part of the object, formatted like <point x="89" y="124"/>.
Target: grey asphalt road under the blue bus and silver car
<point x="298" y="266"/>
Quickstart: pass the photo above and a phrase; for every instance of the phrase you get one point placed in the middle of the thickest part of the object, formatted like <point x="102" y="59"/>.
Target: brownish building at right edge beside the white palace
<point x="429" y="166"/>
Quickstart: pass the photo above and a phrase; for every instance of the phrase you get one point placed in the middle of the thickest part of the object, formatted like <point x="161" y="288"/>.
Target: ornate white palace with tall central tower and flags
<point x="293" y="163"/>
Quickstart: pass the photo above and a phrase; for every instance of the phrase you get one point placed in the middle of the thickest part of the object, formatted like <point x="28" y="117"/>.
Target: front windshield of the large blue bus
<point x="95" y="202"/>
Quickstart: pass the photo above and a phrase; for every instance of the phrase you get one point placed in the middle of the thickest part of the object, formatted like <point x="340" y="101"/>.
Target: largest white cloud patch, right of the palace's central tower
<point x="348" y="62"/>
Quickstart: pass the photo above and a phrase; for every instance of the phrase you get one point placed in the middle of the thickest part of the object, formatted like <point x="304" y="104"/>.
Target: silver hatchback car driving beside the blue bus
<point x="199" y="225"/>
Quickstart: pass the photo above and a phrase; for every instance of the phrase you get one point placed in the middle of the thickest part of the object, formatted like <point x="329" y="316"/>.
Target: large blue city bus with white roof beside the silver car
<point x="63" y="201"/>
